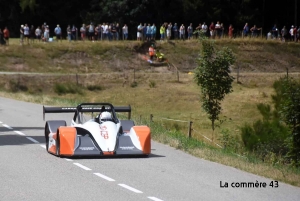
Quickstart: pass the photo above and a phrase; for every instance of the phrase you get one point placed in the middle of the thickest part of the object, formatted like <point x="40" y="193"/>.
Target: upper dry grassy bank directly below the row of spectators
<point x="252" y="56"/>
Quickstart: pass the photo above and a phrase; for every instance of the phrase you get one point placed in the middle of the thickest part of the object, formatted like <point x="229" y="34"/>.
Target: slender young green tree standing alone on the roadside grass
<point x="213" y="76"/>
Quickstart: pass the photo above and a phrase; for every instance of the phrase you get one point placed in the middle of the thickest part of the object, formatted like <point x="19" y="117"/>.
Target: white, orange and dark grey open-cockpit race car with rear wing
<point x="95" y="130"/>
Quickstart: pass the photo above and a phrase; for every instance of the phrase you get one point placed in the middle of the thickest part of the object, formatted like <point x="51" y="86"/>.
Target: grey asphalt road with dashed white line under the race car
<point x="28" y="172"/>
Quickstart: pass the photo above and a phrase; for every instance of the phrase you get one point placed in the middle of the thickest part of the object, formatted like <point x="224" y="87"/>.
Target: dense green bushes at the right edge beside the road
<point x="279" y="131"/>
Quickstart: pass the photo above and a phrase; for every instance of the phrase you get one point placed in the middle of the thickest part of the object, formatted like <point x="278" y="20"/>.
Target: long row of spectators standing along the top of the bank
<point x="145" y="32"/>
